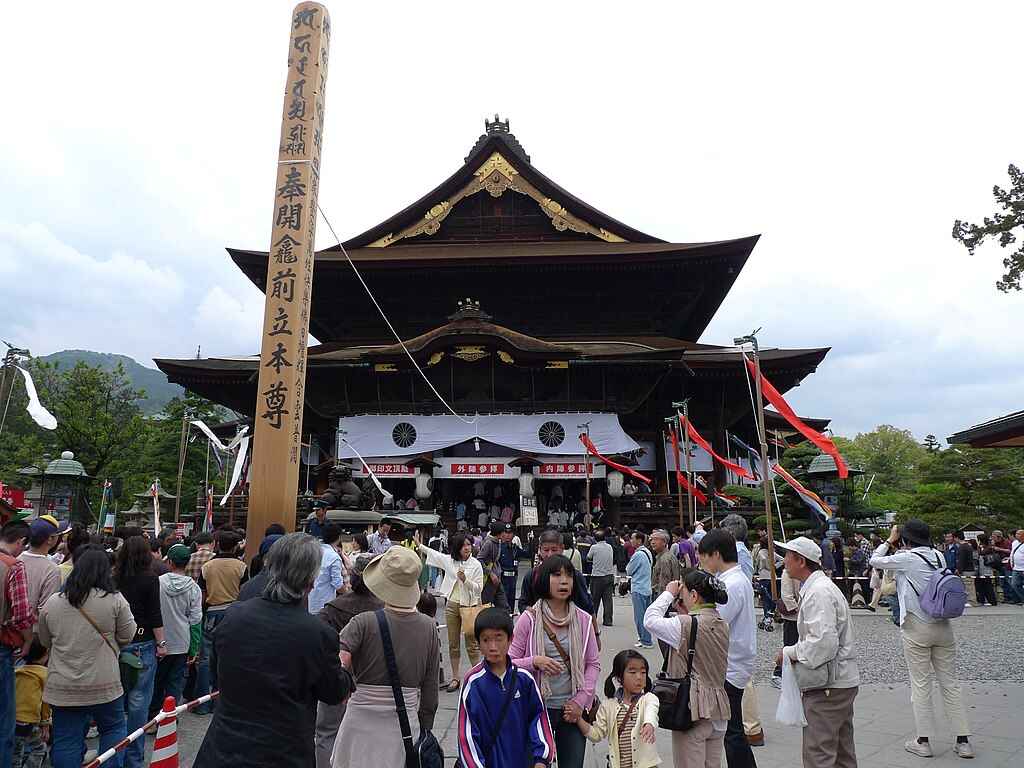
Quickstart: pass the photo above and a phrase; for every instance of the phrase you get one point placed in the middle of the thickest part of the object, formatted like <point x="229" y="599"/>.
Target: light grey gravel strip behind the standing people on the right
<point x="988" y="648"/>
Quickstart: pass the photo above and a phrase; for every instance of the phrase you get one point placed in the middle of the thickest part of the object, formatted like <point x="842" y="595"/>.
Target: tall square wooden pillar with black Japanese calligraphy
<point x="278" y="437"/>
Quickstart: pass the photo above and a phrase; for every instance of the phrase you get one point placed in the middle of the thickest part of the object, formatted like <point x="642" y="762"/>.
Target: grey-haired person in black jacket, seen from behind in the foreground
<point x="276" y="662"/>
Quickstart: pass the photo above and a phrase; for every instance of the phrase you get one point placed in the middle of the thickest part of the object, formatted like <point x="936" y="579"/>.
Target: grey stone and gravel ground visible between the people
<point x="883" y="717"/>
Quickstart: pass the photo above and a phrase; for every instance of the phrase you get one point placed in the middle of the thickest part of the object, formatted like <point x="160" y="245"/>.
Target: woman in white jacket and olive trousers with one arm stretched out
<point x="462" y="586"/>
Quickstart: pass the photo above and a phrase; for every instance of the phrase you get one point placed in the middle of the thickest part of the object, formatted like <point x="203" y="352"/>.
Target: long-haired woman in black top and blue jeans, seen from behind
<point x="141" y="586"/>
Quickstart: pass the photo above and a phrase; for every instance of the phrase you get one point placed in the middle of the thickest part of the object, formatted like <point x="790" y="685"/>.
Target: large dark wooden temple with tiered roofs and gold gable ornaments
<point x="536" y="317"/>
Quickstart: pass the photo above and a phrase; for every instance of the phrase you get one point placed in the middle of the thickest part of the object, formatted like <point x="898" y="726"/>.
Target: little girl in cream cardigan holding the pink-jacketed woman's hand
<point x="629" y="716"/>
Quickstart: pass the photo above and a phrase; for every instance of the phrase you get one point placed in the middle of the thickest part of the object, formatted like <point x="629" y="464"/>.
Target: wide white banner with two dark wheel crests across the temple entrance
<point x="535" y="434"/>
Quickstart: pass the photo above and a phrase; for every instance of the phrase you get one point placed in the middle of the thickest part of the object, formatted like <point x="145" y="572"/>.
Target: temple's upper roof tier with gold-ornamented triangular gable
<point x="542" y="259"/>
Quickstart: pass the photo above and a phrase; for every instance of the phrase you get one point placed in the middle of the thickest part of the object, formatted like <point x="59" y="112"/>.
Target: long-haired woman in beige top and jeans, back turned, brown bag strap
<point x="84" y="626"/>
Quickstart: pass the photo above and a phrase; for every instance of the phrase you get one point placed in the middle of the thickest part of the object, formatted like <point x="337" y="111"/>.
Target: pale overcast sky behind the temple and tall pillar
<point x="140" y="140"/>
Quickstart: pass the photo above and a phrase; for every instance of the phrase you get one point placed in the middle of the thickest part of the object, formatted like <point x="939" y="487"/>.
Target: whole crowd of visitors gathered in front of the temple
<point x="326" y="655"/>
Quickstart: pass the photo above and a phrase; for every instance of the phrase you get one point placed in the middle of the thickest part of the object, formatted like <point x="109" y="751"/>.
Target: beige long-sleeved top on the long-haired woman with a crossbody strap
<point x="83" y="668"/>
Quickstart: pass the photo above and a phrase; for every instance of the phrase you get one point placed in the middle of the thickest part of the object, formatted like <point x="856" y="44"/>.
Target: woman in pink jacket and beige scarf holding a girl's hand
<point x="556" y="641"/>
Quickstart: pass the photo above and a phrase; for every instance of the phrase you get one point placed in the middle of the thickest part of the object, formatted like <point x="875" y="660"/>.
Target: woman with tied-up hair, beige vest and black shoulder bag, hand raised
<point x="696" y="598"/>
